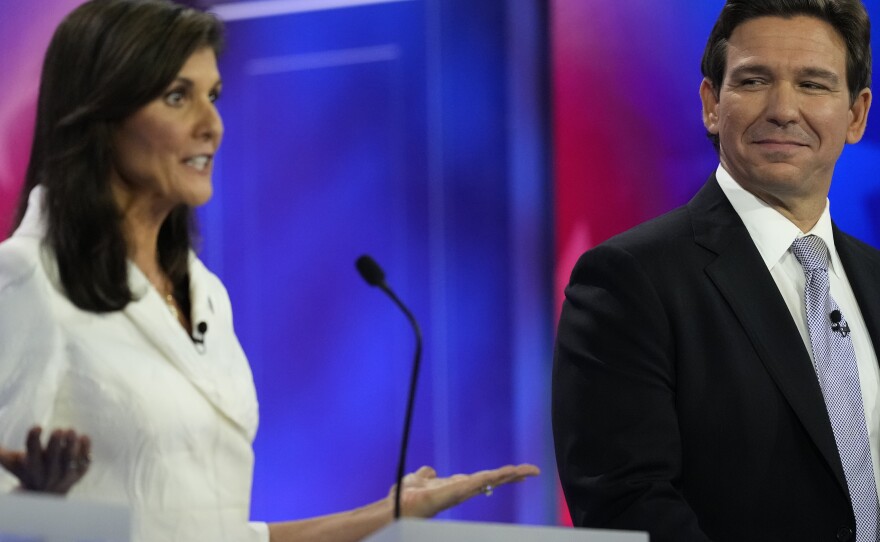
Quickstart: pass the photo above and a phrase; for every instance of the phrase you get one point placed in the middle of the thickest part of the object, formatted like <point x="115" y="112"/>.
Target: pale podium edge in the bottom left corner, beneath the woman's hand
<point x="33" y="517"/>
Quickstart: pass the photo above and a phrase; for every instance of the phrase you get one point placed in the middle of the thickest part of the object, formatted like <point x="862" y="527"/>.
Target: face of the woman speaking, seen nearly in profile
<point x="164" y="152"/>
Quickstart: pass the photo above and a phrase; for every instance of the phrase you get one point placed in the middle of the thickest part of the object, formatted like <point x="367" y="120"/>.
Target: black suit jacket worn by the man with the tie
<point x="684" y="400"/>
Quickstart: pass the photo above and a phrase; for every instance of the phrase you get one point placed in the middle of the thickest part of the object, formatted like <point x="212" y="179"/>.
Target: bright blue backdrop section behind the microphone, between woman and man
<point x="415" y="132"/>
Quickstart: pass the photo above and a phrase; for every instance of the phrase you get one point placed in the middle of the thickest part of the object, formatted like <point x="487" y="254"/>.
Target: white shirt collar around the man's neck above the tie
<point x="771" y="232"/>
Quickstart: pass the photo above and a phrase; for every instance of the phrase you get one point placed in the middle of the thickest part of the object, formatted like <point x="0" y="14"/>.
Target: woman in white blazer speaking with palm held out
<point x="106" y="309"/>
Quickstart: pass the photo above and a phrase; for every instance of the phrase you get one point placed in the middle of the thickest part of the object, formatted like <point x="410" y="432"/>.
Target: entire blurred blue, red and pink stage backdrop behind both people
<point x="475" y="149"/>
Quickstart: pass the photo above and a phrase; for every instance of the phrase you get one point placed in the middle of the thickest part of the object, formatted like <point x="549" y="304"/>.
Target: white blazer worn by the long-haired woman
<point x="171" y="423"/>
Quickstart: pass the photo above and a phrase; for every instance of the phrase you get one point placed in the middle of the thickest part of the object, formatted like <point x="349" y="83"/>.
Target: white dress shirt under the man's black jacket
<point x="773" y="234"/>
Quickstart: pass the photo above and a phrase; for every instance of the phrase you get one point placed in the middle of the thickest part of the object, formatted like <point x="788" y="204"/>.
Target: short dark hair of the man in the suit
<point x="848" y="17"/>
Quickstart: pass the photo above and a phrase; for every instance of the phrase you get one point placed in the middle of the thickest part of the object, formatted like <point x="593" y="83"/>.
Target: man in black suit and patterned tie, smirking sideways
<point x="708" y="383"/>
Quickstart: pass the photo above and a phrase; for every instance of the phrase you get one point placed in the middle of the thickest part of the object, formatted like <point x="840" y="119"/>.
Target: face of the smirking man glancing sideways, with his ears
<point x="783" y="111"/>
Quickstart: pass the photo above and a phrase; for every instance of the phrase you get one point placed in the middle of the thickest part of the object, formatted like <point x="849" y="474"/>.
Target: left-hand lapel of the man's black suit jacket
<point x="737" y="269"/>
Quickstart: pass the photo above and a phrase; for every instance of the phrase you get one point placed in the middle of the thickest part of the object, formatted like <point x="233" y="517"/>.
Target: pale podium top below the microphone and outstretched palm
<point x="421" y="530"/>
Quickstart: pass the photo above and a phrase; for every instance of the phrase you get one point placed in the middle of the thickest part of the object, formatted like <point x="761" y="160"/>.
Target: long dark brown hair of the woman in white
<point x="107" y="59"/>
